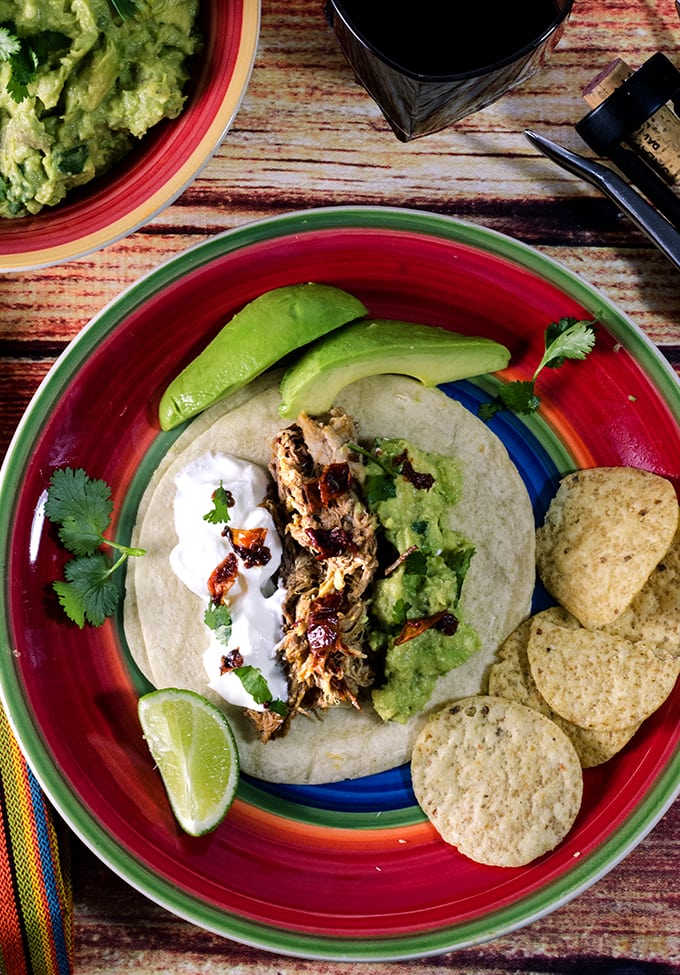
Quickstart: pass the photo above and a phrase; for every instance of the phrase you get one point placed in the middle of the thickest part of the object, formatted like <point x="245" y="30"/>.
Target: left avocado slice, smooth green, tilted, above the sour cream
<point x="262" y="332"/>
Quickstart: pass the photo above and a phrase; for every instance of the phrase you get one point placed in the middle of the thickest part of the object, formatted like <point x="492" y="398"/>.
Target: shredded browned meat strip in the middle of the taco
<point x="329" y="561"/>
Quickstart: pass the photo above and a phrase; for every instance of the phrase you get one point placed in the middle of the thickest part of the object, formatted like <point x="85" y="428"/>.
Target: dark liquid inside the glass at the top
<point x="449" y="36"/>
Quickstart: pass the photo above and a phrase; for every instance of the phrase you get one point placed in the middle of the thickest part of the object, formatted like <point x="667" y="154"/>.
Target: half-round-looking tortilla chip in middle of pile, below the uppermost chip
<point x="595" y="679"/>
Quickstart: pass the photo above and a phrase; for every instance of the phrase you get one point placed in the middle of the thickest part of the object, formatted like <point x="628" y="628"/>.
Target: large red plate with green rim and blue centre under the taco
<point x="350" y="871"/>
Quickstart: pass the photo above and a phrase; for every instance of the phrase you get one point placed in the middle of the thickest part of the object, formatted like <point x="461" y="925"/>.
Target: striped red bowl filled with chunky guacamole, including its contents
<point x="108" y="109"/>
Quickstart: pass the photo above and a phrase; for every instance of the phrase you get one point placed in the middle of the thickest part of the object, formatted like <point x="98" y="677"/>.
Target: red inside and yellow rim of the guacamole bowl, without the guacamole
<point x="166" y="161"/>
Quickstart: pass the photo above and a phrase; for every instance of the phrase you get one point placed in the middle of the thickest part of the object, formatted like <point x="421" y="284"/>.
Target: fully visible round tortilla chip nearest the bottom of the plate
<point x="500" y="781"/>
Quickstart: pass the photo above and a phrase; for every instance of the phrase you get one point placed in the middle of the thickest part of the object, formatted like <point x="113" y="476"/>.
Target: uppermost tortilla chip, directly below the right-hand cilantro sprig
<point x="604" y="532"/>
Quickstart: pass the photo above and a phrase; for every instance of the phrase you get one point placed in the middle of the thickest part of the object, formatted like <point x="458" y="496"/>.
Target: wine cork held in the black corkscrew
<point x="657" y="139"/>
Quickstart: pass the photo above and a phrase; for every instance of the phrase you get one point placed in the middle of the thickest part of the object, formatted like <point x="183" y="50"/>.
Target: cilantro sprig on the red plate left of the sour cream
<point x="82" y="508"/>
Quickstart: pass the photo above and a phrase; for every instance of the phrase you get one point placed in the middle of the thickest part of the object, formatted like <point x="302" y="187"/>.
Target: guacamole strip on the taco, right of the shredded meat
<point x="415" y="616"/>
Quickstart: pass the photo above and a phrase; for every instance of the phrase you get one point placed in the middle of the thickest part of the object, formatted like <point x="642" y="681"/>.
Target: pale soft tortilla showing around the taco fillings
<point x="164" y="620"/>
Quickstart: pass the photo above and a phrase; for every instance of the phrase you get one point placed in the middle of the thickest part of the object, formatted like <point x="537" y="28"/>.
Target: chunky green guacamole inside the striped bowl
<point x="79" y="85"/>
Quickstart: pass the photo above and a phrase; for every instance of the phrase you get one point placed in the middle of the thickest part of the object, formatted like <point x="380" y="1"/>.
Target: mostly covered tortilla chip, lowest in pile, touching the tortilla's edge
<point x="511" y="677"/>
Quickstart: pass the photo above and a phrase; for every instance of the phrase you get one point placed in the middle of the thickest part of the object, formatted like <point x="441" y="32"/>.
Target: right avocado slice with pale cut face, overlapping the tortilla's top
<point x="374" y="347"/>
